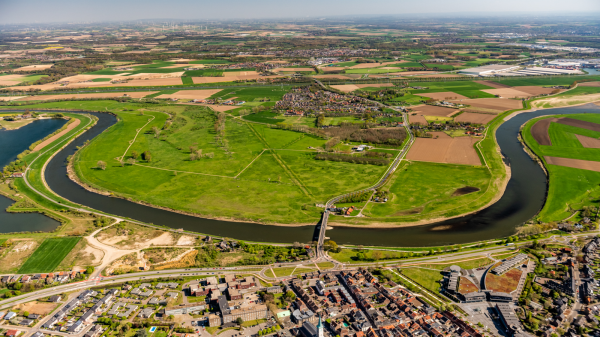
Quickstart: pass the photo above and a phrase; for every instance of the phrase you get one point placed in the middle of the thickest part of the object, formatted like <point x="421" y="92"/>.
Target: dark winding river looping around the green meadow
<point x="523" y="198"/>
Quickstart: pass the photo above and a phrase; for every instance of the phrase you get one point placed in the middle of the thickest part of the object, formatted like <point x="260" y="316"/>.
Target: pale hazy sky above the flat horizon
<point x="32" y="11"/>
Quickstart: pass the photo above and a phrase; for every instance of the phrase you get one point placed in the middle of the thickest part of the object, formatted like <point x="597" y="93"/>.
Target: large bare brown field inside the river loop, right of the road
<point x="445" y="149"/>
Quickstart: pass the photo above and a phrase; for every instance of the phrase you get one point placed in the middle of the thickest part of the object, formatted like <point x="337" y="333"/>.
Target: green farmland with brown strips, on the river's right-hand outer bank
<point x="572" y="167"/>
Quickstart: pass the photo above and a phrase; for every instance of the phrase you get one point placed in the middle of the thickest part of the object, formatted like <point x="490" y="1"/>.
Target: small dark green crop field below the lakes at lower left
<point x="48" y="255"/>
